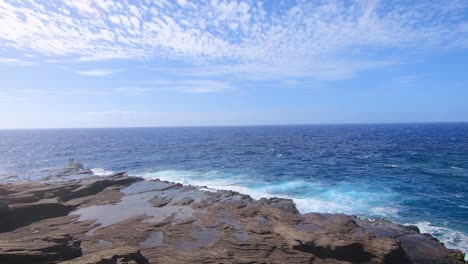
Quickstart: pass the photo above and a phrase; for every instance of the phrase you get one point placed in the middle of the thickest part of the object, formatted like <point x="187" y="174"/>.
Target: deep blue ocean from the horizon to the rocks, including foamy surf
<point x="408" y="173"/>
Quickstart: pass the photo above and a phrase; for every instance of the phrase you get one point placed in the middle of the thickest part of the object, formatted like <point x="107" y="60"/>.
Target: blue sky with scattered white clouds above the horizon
<point x="140" y="63"/>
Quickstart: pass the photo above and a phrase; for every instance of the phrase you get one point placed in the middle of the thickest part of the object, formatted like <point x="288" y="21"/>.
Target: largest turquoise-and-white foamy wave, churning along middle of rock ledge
<point x="309" y="196"/>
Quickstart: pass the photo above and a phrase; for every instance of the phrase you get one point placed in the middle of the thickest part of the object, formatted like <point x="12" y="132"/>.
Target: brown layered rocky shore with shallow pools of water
<point x="80" y="218"/>
